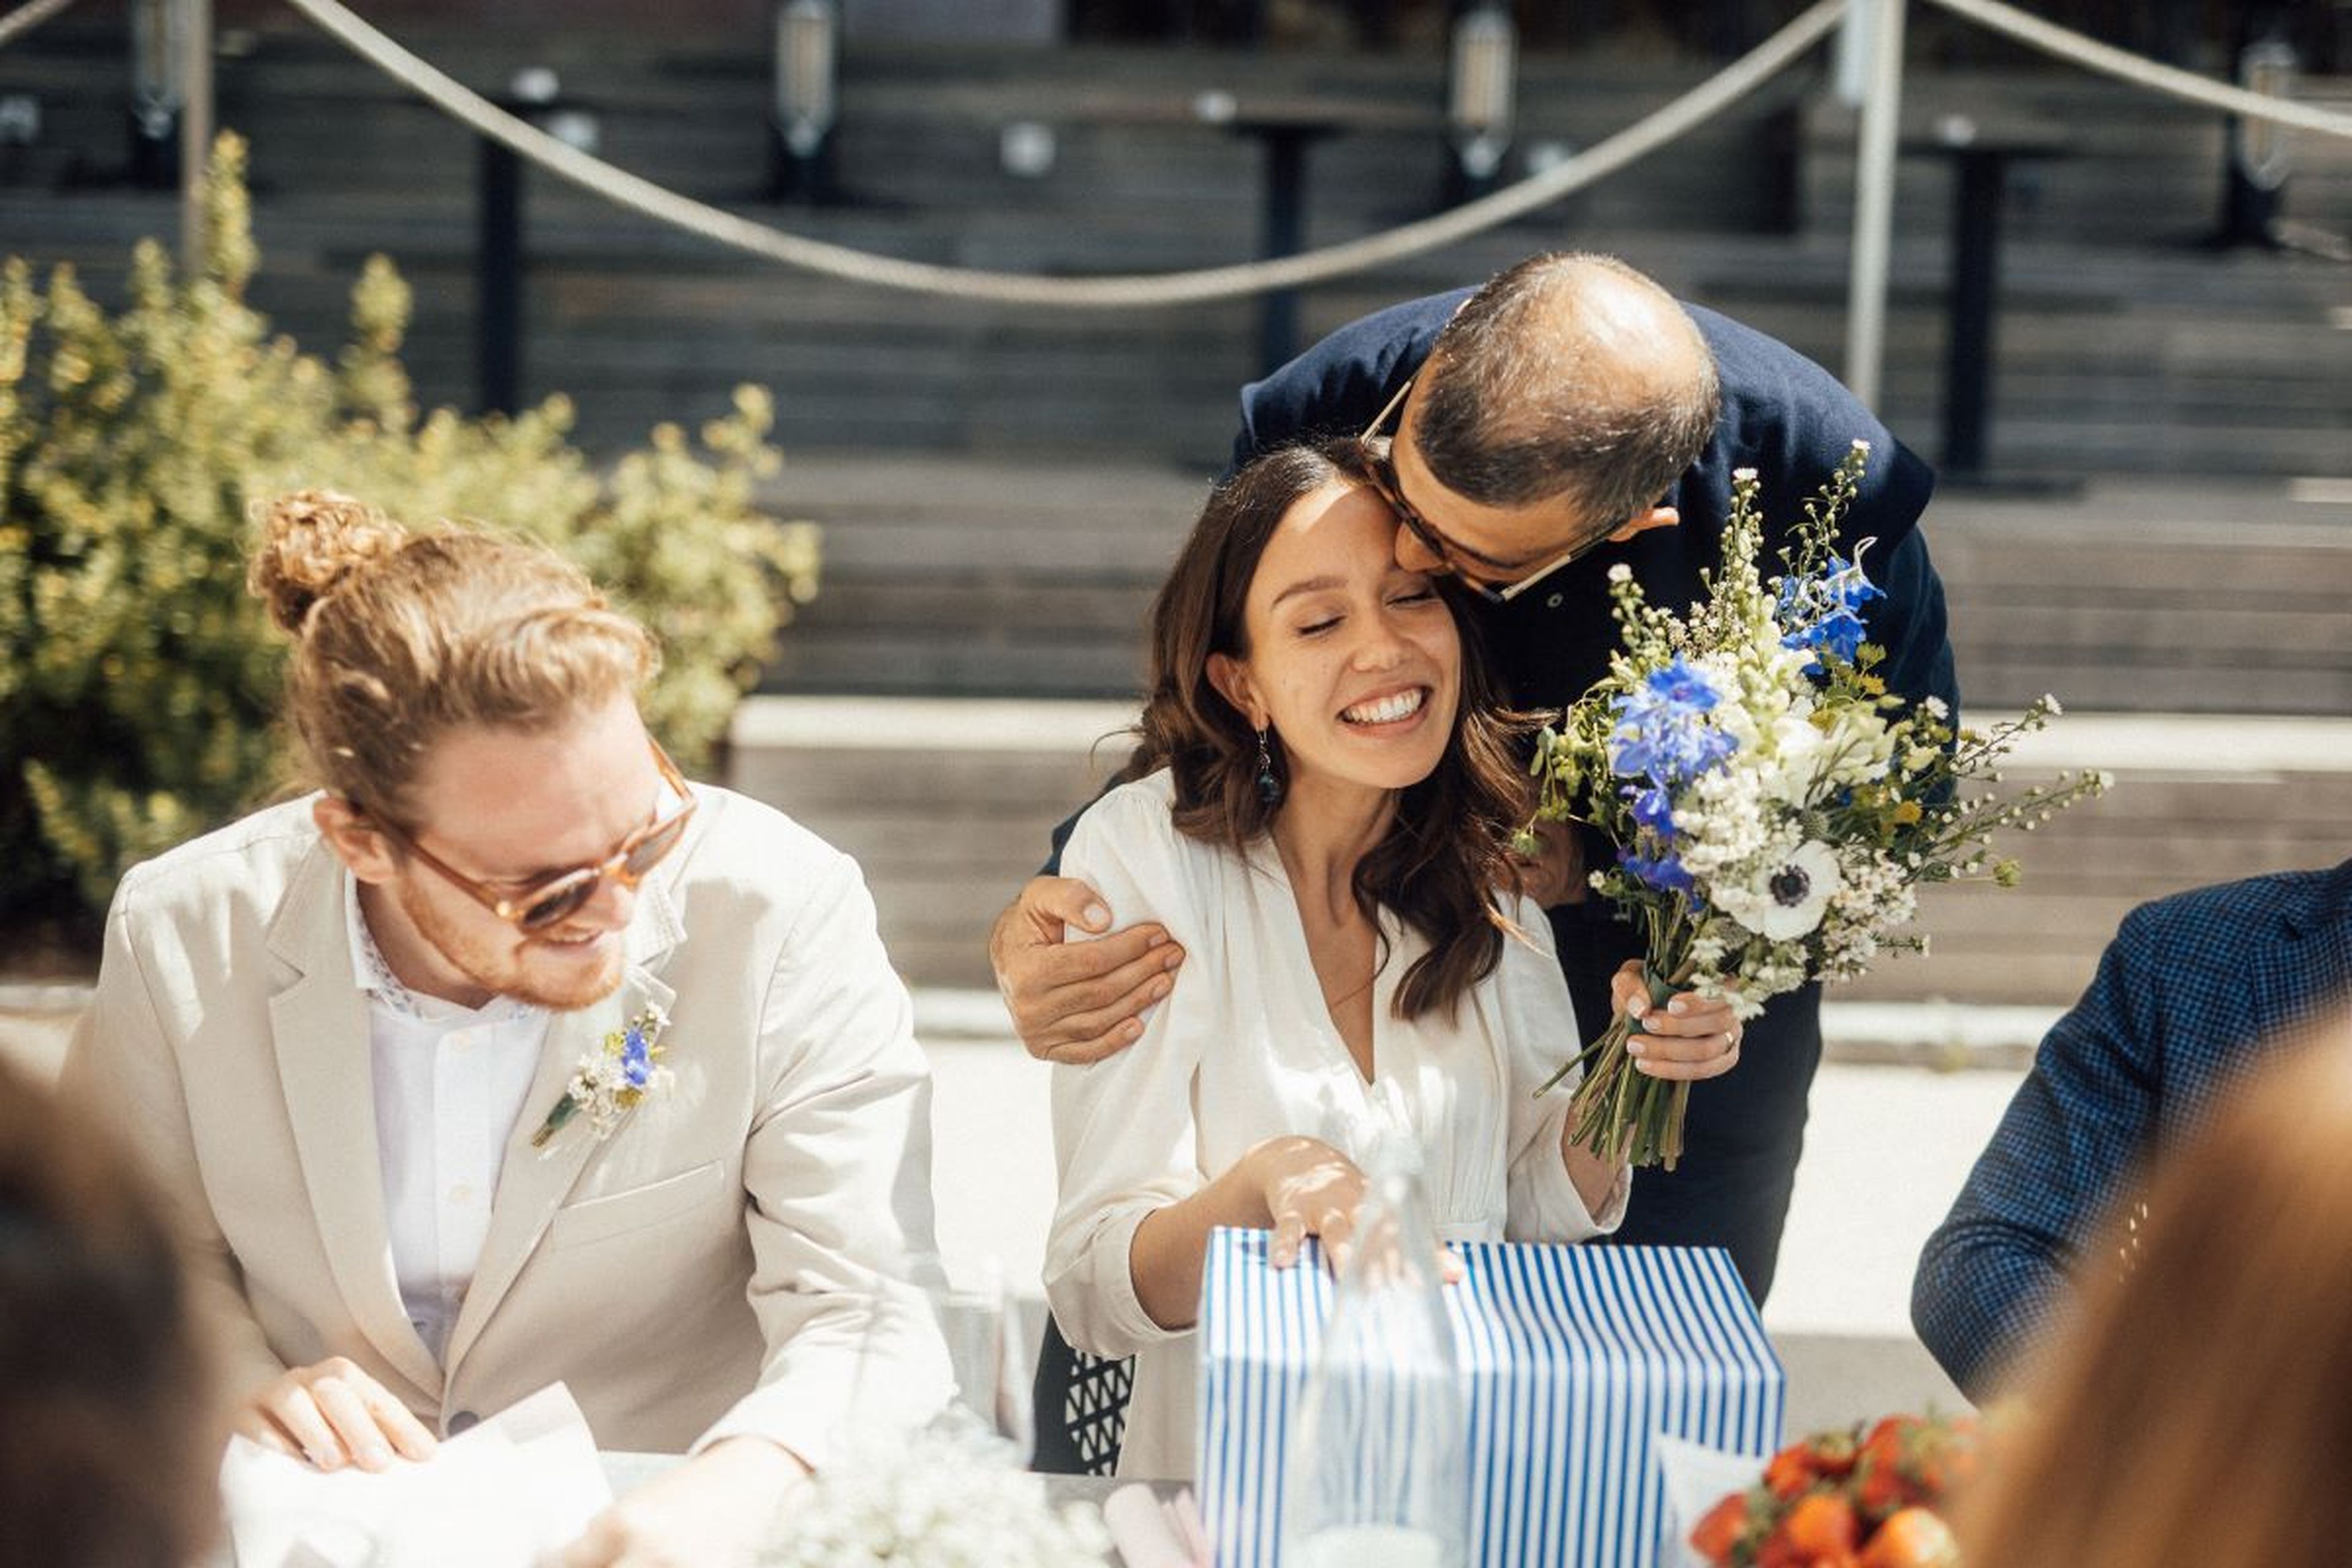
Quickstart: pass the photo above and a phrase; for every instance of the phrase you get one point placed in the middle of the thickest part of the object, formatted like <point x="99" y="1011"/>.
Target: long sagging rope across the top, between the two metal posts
<point x="1149" y="290"/>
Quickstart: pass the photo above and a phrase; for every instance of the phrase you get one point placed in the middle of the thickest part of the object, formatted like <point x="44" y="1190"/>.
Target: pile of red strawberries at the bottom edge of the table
<point x="1850" y="1501"/>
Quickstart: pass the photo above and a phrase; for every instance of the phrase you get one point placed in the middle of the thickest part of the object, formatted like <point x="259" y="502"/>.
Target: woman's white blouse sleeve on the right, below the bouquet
<point x="1539" y="1033"/>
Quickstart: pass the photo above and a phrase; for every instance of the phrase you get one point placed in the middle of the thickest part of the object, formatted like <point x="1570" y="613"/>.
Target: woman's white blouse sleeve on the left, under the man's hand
<point x="1123" y="1127"/>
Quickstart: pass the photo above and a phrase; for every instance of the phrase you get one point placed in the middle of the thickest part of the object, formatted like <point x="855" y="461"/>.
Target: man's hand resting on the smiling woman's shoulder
<point x="1076" y="1003"/>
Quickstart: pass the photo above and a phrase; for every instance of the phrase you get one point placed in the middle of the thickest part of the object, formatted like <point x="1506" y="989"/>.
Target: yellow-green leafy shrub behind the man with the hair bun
<point x="140" y="681"/>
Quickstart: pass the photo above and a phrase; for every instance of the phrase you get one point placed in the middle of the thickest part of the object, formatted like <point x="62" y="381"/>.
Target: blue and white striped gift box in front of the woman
<point x="1575" y="1358"/>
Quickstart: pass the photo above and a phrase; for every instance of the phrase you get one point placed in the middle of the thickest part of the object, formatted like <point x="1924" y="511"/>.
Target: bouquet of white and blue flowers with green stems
<point x="1772" y="805"/>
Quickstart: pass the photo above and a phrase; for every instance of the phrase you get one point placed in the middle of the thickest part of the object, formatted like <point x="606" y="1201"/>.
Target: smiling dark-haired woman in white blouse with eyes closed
<point x="1318" y="815"/>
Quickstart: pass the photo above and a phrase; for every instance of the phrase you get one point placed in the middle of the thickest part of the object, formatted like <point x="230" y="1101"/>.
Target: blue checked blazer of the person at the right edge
<point x="2191" y="993"/>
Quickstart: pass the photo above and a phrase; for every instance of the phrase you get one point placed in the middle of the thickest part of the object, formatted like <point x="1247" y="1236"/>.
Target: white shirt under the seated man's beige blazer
<point x="450" y="1087"/>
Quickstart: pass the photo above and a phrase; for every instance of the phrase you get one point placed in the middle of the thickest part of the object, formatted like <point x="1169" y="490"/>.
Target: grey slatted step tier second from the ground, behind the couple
<point x="989" y="577"/>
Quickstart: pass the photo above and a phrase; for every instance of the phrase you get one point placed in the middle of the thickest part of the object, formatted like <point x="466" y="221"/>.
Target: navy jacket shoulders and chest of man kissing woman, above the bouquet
<point x="1784" y="417"/>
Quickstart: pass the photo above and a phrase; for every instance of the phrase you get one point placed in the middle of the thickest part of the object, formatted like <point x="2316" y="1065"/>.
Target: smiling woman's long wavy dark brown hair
<point x="1445" y="850"/>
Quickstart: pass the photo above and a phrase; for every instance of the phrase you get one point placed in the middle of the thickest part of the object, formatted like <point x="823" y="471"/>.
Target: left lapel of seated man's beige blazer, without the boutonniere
<point x="319" y="1028"/>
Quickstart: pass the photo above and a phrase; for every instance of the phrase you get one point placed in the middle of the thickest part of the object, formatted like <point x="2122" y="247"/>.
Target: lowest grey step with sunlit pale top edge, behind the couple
<point x="949" y="808"/>
